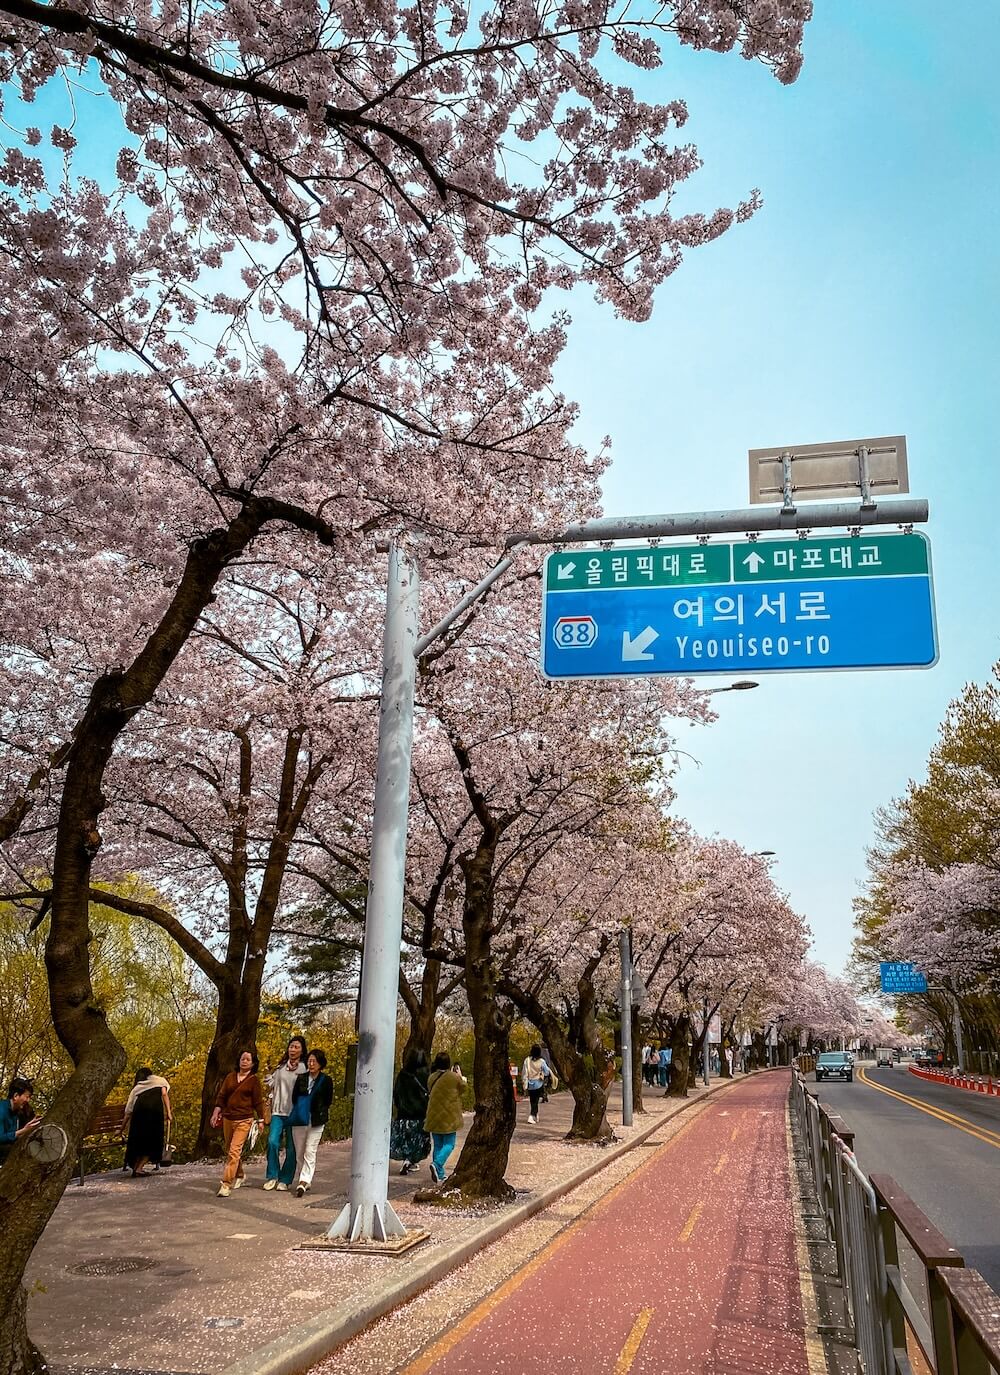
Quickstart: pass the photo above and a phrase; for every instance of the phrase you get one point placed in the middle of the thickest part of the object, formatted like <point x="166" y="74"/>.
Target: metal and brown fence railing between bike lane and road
<point x="950" y="1312"/>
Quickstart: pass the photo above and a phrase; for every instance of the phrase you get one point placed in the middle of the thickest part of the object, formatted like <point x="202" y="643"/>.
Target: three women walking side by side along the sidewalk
<point x="298" y="1109"/>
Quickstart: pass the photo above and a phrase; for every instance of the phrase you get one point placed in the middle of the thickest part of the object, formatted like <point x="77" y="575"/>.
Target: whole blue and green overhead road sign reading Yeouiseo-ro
<point x="844" y="615"/>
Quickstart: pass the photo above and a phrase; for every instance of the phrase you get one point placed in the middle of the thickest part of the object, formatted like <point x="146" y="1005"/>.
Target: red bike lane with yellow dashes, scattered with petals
<point x="687" y="1268"/>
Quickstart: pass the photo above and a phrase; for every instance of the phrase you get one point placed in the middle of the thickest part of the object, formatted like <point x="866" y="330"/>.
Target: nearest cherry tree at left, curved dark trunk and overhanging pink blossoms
<point x="287" y="317"/>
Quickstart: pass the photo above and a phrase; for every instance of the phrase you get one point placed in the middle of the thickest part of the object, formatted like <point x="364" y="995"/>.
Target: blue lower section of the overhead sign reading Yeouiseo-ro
<point x="787" y="625"/>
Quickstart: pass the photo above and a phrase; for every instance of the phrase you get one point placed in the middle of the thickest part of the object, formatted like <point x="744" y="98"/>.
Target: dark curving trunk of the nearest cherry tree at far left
<point x="30" y="1191"/>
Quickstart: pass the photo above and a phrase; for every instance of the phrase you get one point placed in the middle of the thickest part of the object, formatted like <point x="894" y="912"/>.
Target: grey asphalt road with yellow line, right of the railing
<point x="948" y="1165"/>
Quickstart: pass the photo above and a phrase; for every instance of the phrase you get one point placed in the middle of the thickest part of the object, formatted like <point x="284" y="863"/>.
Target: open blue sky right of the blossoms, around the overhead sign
<point x="862" y="300"/>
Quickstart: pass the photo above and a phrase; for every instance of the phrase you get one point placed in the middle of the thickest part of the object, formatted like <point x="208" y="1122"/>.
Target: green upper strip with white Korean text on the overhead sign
<point x="748" y="562"/>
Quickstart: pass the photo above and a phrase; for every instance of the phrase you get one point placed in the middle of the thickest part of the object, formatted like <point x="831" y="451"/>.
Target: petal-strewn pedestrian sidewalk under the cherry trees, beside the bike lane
<point x="221" y="1285"/>
